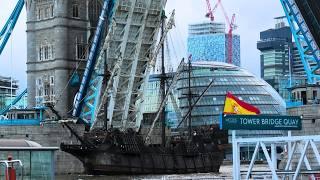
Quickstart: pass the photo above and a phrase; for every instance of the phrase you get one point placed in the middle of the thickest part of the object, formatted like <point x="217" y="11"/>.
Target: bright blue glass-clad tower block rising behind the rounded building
<point x="208" y="41"/>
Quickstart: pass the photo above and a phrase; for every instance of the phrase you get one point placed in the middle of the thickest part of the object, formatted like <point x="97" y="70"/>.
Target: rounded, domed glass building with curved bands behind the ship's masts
<point x="226" y="77"/>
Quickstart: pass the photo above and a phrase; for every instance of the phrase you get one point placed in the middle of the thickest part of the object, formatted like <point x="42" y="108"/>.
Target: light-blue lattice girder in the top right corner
<point x="308" y="49"/>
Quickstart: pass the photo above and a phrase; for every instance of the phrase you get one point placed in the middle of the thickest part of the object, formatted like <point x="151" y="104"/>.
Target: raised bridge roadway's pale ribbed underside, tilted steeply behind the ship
<point x="127" y="53"/>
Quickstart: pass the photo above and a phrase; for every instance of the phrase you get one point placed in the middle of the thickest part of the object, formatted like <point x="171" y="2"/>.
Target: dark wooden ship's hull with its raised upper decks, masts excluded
<point x="125" y="153"/>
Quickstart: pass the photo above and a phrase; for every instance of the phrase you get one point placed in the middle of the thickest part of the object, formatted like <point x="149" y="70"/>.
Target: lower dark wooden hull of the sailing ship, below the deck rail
<point x="113" y="163"/>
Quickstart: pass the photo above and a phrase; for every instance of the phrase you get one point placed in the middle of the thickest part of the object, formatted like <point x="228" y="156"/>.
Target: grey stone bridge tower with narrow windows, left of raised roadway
<point x="58" y="32"/>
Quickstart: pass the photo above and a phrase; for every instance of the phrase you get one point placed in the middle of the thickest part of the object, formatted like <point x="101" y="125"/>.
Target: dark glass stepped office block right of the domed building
<point x="280" y="61"/>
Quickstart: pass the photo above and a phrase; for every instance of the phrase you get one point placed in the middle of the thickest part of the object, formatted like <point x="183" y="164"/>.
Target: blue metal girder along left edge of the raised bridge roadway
<point x="89" y="92"/>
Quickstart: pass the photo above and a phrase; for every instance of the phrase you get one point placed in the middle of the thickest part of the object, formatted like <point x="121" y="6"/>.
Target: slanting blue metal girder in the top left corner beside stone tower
<point x="9" y="26"/>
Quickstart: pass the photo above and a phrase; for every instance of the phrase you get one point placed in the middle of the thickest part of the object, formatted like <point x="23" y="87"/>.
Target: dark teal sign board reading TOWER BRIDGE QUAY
<point x="260" y="122"/>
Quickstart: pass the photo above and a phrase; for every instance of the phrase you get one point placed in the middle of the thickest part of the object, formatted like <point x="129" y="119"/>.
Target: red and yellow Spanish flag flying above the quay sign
<point x="233" y="105"/>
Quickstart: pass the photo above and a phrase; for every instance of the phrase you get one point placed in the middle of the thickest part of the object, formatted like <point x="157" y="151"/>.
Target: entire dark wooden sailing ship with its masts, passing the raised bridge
<point x="115" y="151"/>
